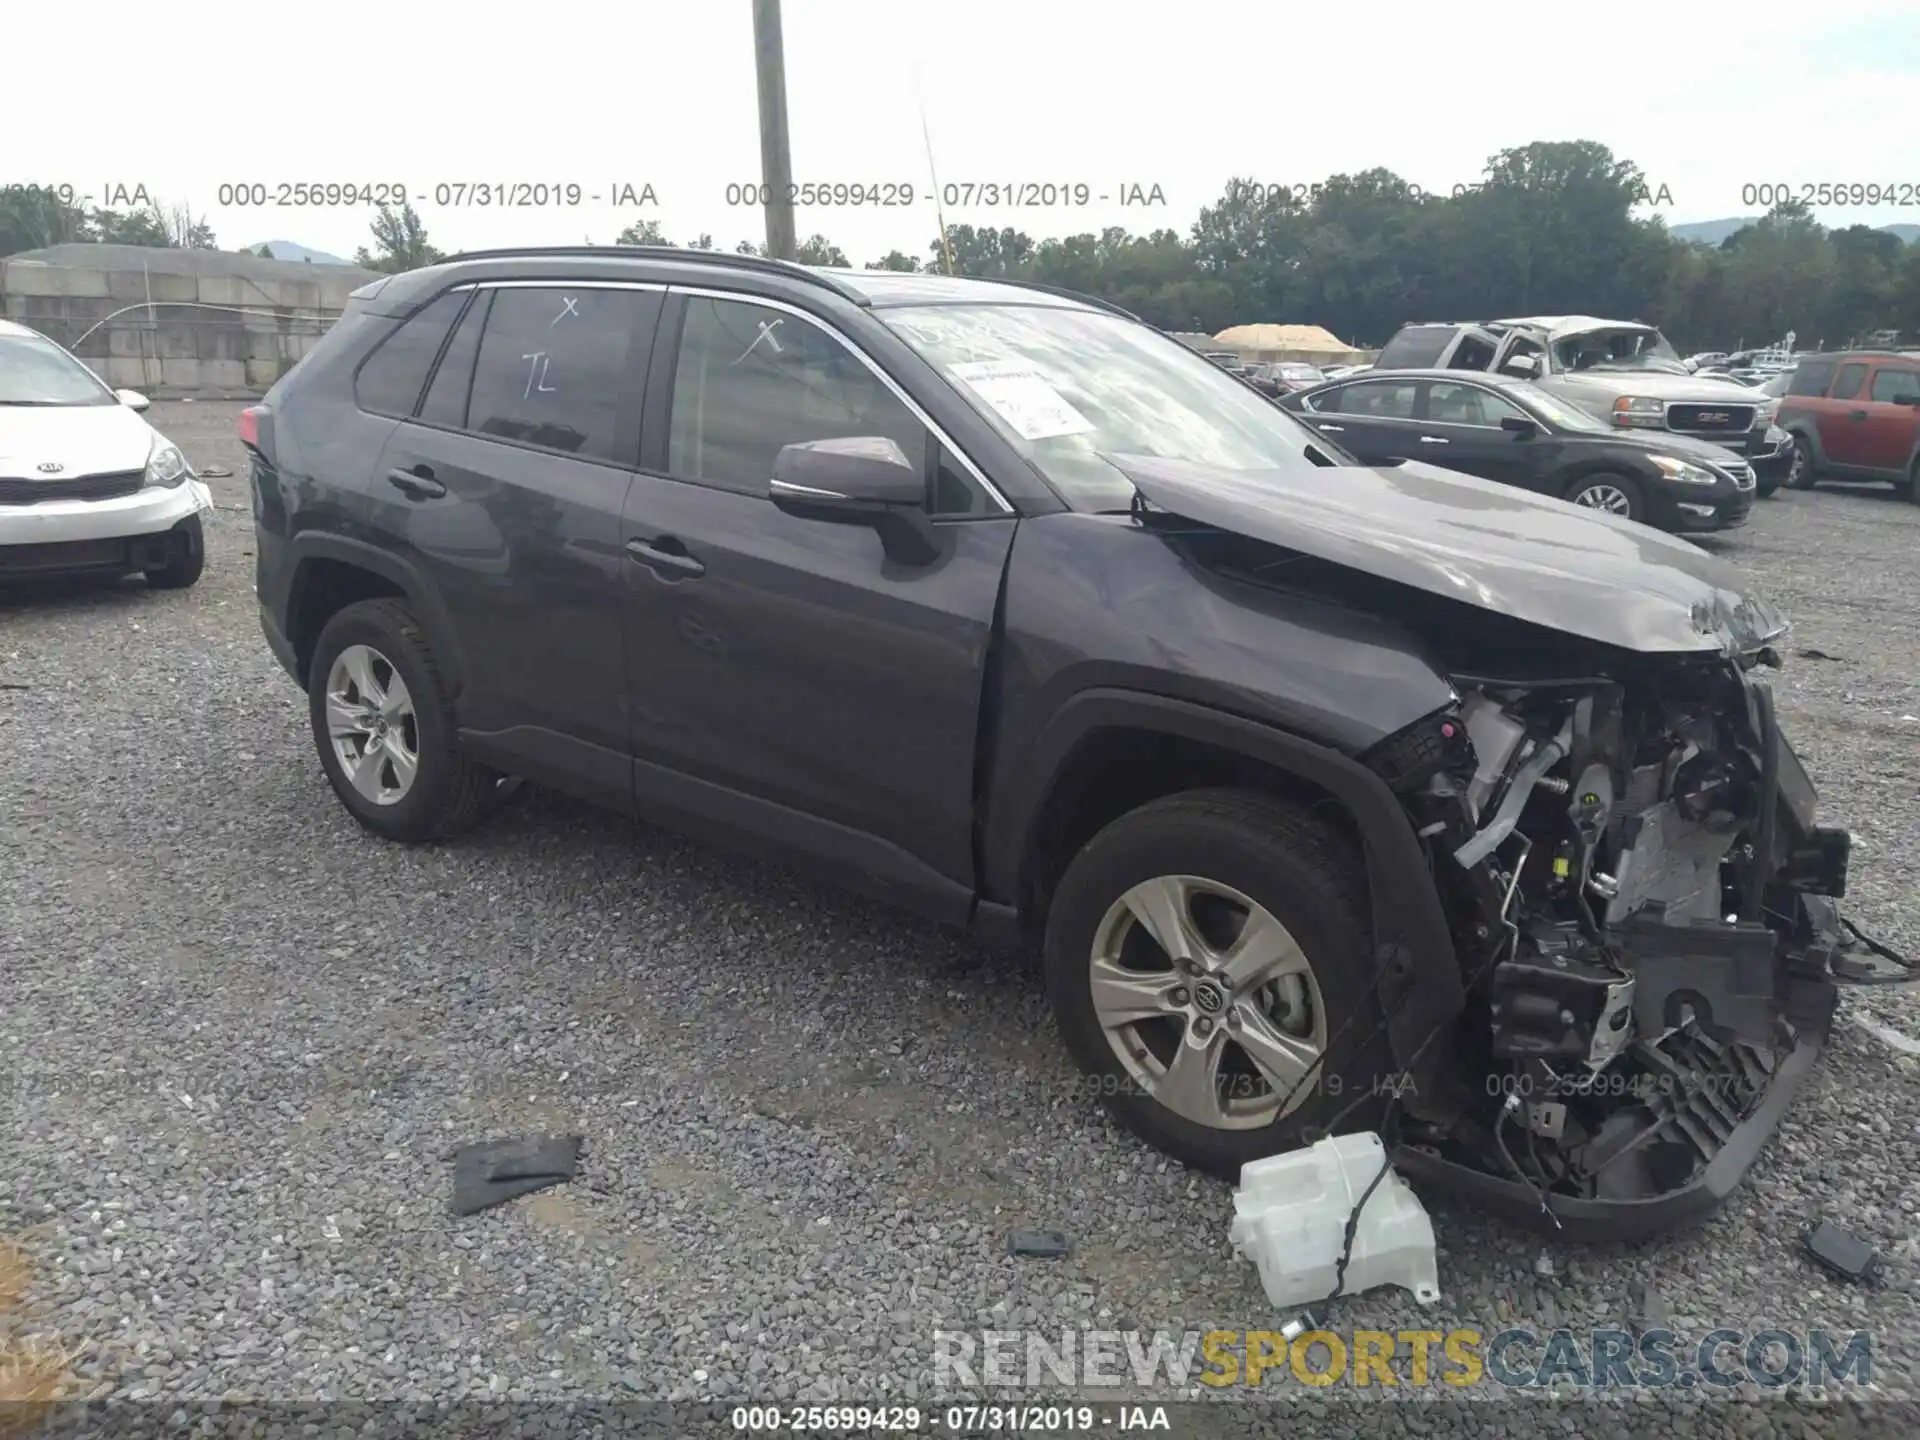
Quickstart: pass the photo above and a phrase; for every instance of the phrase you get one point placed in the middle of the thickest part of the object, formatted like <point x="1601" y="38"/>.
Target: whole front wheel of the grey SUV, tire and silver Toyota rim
<point x="1209" y="963"/>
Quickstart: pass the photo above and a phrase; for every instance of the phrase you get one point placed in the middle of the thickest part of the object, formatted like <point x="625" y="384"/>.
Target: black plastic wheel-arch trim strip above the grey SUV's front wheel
<point x="1416" y="969"/>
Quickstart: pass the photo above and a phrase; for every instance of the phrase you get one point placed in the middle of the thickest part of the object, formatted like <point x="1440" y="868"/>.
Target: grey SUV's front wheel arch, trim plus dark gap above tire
<point x="1040" y="828"/>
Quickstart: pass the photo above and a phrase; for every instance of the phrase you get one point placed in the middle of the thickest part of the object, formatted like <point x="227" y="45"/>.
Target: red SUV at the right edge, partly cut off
<point x="1856" y="416"/>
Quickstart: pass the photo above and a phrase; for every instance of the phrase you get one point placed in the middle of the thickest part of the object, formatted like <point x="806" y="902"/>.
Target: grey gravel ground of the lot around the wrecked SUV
<point x="241" y="1040"/>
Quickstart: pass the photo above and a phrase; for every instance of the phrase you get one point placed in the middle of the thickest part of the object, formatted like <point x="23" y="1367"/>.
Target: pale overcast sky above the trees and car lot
<point x="1710" y="99"/>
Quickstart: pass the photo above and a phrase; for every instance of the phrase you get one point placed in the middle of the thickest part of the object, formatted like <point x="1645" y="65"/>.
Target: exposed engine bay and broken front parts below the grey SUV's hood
<point x="1644" y="917"/>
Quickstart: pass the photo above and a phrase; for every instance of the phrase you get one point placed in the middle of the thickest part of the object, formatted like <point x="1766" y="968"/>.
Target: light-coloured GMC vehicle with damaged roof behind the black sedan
<point x="1623" y="373"/>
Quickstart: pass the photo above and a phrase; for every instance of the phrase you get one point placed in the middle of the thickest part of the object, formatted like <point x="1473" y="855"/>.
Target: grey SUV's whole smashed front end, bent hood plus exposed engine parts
<point x="1644" y="948"/>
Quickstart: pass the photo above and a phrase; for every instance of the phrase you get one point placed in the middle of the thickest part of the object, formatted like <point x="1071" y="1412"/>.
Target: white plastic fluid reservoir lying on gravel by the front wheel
<point x="1291" y="1220"/>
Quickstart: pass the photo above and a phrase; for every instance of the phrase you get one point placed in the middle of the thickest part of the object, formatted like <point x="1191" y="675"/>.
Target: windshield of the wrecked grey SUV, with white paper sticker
<point x="1068" y="387"/>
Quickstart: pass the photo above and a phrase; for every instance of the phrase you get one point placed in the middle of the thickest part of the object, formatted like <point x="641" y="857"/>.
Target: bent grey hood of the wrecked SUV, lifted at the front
<point x="1558" y="565"/>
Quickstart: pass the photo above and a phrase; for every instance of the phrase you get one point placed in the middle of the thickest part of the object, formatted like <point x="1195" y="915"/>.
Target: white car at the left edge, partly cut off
<point x="85" y="483"/>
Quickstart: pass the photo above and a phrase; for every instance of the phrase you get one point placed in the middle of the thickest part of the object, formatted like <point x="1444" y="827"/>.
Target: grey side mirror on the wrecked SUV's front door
<point x="859" y="481"/>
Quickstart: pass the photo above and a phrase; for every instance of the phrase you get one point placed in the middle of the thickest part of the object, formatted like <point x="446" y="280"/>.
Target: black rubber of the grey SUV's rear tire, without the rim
<point x="450" y="792"/>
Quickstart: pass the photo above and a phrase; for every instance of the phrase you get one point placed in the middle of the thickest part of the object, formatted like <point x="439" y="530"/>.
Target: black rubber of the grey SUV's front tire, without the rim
<point x="1310" y="880"/>
